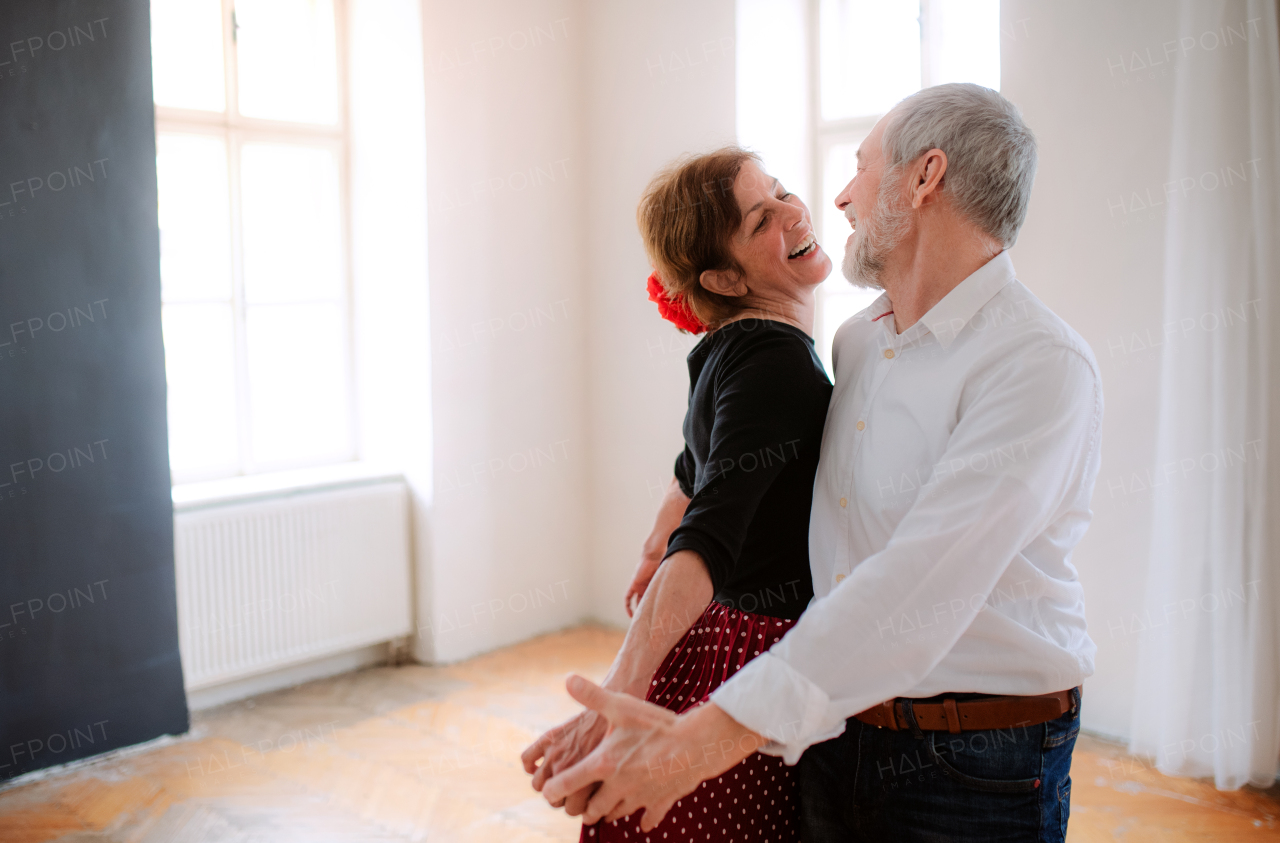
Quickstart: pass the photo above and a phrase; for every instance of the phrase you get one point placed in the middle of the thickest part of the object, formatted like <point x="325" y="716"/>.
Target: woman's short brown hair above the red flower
<point x="687" y="218"/>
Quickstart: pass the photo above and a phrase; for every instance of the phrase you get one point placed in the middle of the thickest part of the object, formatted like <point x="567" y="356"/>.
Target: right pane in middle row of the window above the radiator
<point x="292" y="225"/>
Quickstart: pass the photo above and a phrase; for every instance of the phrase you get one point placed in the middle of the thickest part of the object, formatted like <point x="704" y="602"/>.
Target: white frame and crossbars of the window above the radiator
<point x="236" y="131"/>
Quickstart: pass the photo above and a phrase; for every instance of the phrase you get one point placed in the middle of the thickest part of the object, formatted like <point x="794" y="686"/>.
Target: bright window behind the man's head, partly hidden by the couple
<point x="870" y="56"/>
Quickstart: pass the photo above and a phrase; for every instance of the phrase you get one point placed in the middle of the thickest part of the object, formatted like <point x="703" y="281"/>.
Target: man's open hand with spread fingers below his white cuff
<point x="651" y="758"/>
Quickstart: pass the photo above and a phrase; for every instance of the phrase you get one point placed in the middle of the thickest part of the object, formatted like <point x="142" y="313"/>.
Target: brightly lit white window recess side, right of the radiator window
<point x="388" y="237"/>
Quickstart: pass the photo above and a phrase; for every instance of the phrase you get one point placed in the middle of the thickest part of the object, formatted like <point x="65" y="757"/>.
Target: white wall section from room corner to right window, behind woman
<point x="660" y="84"/>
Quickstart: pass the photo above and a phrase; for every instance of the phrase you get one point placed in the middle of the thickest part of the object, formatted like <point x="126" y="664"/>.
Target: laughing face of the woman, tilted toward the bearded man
<point x="775" y="246"/>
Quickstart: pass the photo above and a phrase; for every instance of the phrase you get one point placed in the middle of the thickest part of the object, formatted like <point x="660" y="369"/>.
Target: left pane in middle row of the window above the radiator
<point x="195" y="218"/>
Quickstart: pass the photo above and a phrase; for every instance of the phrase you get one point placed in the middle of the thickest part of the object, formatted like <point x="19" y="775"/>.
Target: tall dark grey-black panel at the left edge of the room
<point x="89" y="634"/>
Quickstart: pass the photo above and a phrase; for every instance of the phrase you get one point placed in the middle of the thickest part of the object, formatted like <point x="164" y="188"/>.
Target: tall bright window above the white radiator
<point x="252" y="158"/>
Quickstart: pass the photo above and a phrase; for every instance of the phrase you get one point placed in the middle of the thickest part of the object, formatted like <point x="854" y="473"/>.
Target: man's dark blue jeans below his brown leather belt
<point x="875" y="785"/>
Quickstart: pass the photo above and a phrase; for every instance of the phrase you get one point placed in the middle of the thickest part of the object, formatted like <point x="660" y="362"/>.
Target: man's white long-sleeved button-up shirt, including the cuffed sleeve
<point x="957" y="470"/>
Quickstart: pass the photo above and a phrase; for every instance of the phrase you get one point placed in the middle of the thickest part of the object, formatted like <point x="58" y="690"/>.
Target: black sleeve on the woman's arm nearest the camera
<point x="769" y="398"/>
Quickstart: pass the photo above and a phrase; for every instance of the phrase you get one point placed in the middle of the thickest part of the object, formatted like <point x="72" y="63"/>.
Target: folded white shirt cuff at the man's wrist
<point x="772" y="699"/>
